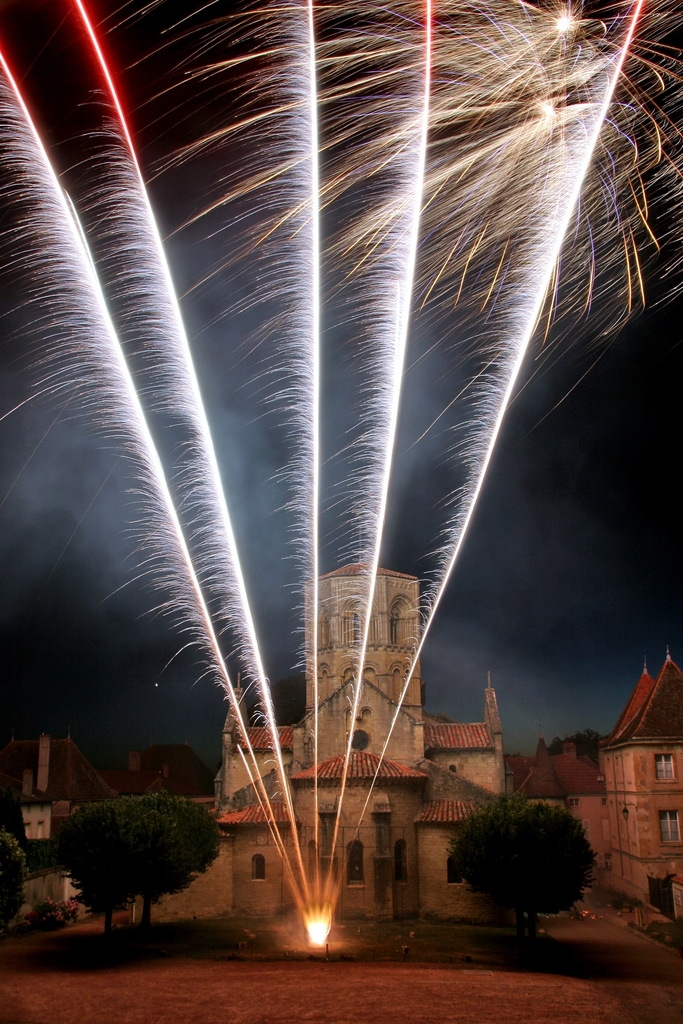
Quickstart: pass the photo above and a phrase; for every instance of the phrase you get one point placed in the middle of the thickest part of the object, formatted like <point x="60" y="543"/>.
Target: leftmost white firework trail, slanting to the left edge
<point x="105" y="365"/>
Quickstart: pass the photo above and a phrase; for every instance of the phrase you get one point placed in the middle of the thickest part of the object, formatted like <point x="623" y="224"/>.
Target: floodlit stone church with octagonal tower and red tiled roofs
<point x="392" y="847"/>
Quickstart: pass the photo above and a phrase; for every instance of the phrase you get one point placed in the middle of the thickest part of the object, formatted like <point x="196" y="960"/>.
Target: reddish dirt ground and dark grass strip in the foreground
<point x="587" y="971"/>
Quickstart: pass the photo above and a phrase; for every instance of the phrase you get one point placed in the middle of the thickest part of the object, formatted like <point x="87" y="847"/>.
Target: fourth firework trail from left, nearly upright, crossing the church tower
<point x="396" y="357"/>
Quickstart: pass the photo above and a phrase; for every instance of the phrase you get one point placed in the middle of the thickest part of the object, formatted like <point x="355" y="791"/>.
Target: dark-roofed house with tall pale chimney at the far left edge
<point x="55" y="779"/>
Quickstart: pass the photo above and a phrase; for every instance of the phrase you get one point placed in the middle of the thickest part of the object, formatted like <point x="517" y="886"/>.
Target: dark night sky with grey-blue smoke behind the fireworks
<point x="572" y="571"/>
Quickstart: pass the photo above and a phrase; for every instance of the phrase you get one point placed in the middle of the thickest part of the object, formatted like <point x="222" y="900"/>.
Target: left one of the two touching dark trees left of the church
<point x="96" y="847"/>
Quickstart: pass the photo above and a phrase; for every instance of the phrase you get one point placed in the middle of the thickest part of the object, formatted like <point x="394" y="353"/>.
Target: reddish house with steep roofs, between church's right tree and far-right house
<point x="568" y="781"/>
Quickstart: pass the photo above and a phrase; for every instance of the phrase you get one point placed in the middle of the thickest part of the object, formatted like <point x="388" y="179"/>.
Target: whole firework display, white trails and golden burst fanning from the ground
<point x="447" y="183"/>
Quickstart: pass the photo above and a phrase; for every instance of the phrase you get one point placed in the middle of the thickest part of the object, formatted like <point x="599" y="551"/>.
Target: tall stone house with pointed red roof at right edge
<point x="643" y="762"/>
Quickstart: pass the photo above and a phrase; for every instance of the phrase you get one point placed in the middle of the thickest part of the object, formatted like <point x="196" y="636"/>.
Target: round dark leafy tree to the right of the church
<point x="534" y="859"/>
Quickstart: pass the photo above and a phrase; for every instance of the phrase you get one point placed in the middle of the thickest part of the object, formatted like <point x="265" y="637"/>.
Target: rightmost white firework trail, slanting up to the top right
<point x="563" y="199"/>
